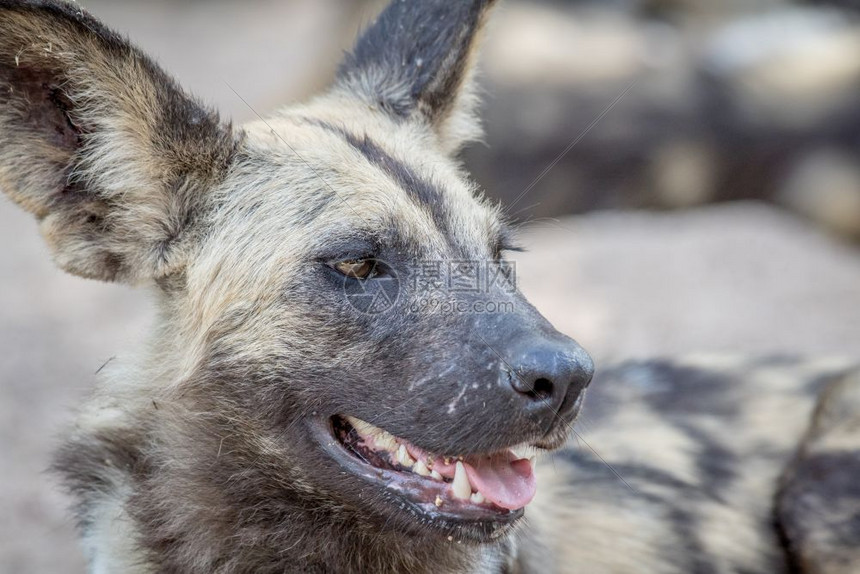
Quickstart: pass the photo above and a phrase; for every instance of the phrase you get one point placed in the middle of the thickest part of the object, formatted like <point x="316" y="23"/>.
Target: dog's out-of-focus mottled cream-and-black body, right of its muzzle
<point x="702" y="444"/>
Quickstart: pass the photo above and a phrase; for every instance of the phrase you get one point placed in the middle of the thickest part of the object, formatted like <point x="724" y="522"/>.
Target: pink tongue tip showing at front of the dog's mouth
<point x="503" y="480"/>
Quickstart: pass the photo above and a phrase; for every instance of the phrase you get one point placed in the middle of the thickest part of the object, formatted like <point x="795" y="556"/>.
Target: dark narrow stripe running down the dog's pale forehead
<point x="419" y="189"/>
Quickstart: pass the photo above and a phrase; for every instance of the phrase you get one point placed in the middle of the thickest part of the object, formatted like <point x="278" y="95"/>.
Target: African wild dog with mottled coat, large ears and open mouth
<point x="246" y="436"/>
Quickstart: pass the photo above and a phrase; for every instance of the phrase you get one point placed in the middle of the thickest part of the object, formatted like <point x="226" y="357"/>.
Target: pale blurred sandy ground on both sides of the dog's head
<point x="741" y="278"/>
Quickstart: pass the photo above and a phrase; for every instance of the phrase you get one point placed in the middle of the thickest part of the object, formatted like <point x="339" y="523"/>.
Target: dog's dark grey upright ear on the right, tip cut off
<point x="417" y="60"/>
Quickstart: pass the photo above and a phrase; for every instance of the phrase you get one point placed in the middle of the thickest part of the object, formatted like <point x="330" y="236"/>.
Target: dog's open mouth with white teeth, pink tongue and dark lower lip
<point x="451" y="490"/>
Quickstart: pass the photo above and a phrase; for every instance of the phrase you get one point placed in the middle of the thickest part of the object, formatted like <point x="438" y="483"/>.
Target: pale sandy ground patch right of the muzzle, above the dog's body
<point x="734" y="278"/>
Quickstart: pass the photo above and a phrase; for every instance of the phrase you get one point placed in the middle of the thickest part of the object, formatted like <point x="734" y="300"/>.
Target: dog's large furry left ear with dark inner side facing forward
<point x="100" y="144"/>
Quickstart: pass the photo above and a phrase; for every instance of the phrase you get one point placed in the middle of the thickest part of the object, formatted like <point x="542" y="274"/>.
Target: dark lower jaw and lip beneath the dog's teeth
<point x="414" y="498"/>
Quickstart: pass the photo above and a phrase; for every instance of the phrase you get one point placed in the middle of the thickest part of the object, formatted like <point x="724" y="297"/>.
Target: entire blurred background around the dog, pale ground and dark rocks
<point x="686" y="172"/>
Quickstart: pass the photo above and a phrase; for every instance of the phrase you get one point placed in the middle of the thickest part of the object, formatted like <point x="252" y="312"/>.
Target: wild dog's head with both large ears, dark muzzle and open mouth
<point x="339" y="345"/>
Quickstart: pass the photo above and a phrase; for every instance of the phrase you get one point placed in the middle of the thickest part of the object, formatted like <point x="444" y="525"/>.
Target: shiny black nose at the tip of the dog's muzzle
<point x="549" y="376"/>
